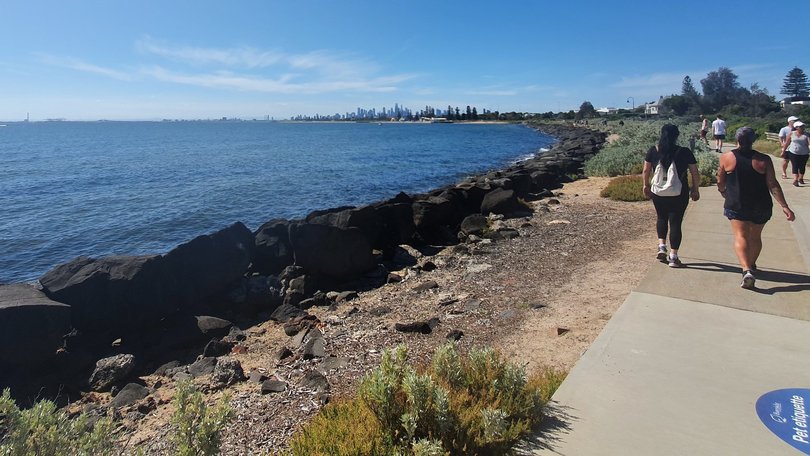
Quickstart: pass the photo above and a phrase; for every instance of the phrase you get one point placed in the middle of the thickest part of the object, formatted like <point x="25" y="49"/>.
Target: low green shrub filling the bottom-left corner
<point x="46" y="430"/>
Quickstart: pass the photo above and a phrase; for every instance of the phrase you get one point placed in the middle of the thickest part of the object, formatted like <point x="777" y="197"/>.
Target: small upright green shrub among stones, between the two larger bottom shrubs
<point x="198" y="428"/>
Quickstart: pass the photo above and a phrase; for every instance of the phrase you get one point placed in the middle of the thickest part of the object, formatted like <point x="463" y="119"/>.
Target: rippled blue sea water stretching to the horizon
<point x="126" y="188"/>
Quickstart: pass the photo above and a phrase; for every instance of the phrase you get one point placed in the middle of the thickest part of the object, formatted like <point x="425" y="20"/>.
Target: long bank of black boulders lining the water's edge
<point x="152" y="306"/>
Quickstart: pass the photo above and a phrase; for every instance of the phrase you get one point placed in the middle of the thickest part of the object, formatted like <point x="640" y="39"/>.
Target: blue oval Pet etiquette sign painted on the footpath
<point x="785" y="413"/>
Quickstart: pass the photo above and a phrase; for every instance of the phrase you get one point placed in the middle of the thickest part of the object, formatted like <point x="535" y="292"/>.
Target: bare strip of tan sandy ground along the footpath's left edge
<point x="593" y="292"/>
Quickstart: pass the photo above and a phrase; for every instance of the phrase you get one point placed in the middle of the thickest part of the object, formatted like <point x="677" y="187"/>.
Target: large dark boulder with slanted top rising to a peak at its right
<point x="208" y="264"/>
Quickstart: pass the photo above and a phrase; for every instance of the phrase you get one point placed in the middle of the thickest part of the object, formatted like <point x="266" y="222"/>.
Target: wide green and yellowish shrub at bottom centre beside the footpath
<point x="480" y="404"/>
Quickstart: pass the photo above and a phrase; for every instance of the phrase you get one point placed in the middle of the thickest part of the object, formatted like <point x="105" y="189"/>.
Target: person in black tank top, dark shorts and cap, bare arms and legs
<point x="747" y="180"/>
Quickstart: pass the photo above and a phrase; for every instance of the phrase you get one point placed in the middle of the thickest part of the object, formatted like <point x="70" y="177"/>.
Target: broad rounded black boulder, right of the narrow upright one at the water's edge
<point x="340" y="254"/>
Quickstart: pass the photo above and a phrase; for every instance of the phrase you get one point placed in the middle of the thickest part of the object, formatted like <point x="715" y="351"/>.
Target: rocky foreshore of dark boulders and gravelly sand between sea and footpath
<point x="325" y="294"/>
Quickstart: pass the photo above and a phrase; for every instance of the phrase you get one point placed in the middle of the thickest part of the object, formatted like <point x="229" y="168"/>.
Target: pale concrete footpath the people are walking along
<point x="680" y="367"/>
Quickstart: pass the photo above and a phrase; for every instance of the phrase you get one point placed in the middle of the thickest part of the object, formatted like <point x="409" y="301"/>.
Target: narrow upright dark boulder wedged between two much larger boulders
<point x="272" y="251"/>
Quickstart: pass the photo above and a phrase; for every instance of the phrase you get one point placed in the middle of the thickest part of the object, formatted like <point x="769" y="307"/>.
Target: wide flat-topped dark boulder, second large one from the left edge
<point x="111" y="294"/>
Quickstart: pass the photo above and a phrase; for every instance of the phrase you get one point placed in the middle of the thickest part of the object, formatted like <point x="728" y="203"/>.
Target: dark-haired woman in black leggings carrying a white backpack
<point x="667" y="164"/>
